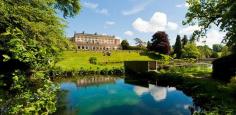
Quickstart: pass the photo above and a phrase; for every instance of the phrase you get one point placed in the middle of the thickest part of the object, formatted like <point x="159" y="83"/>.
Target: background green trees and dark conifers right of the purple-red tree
<point x="187" y="48"/>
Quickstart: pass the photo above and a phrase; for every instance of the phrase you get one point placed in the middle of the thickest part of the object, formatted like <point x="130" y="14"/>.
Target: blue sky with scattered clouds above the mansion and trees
<point x="129" y="19"/>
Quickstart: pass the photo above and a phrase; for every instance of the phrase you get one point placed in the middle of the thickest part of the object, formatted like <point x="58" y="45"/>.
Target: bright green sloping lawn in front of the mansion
<point x="71" y="60"/>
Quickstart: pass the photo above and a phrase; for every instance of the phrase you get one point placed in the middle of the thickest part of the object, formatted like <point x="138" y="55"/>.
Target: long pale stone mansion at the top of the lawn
<point x="96" y="42"/>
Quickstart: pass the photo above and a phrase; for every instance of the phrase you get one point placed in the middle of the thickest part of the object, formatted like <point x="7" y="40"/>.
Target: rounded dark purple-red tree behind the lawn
<point x="160" y="43"/>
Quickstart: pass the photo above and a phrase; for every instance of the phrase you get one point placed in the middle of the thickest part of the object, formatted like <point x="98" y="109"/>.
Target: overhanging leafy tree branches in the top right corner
<point x="206" y="13"/>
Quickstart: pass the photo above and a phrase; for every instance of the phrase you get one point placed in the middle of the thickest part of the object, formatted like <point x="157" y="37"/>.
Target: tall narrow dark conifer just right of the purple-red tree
<point x="178" y="47"/>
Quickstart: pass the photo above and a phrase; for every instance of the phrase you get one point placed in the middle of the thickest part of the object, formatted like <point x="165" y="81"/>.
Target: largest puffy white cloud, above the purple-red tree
<point x="158" y="22"/>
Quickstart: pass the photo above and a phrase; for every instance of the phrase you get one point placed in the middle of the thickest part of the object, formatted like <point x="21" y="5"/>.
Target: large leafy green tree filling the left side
<point x="31" y="38"/>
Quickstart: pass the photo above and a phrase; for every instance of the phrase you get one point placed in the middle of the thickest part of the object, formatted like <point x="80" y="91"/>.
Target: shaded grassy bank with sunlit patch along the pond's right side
<point x="214" y="97"/>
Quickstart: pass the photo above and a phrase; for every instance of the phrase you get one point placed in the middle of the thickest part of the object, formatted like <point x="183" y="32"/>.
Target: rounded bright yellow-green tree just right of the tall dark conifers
<point x="191" y="51"/>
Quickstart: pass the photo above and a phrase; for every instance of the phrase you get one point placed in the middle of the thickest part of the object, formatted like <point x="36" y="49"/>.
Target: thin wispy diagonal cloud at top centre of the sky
<point x="137" y="8"/>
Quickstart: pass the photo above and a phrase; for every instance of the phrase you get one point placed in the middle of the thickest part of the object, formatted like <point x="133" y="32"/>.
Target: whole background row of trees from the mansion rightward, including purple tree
<point x="183" y="47"/>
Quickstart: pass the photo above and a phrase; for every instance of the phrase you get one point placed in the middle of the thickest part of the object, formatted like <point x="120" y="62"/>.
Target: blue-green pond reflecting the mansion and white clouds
<point x="116" y="96"/>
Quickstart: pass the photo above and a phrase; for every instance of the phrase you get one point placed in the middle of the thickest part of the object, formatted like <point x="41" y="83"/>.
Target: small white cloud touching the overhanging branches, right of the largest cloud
<point x="189" y="30"/>
